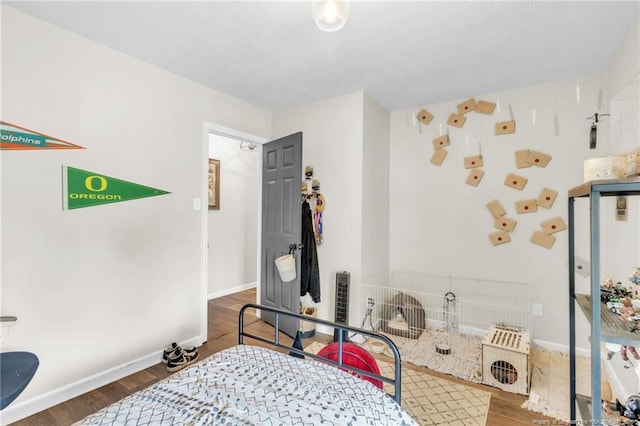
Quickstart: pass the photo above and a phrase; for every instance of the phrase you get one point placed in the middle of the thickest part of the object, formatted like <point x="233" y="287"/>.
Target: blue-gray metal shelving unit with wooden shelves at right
<point x="605" y="326"/>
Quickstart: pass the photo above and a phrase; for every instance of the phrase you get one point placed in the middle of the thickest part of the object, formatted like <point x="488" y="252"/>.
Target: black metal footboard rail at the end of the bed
<point x="275" y="341"/>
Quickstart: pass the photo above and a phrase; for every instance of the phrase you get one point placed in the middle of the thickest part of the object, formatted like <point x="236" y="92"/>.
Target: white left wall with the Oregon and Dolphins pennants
<point x="99" y="291"/>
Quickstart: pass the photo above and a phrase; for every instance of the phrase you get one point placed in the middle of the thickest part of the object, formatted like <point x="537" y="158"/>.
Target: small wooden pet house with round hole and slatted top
<point x="506" y="360"/>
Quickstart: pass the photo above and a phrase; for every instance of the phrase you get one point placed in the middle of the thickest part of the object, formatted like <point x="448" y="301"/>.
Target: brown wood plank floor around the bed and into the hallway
<point x="223" y="324"/>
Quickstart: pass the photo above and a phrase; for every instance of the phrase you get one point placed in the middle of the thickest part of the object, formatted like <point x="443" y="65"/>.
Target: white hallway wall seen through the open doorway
<point x="233" y="229"/>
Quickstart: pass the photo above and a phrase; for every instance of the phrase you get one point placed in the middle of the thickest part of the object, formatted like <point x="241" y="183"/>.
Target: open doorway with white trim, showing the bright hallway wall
<point x="238" y="152"/>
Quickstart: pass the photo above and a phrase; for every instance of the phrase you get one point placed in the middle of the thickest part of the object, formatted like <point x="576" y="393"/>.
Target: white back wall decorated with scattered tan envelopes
<point x="440" y="225"/>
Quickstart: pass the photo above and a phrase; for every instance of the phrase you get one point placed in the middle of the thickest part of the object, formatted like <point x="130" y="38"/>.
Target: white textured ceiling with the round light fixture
<point x="403" y="54"/>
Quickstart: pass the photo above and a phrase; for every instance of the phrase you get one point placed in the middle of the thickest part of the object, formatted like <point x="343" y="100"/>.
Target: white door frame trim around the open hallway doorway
<point x="201" y="203"/>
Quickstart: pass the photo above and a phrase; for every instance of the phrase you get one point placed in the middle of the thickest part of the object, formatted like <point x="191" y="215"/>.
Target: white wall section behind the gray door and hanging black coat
<point x="333" y="145"/>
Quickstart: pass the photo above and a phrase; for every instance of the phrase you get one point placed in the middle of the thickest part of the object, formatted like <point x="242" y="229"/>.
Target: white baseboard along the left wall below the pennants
<point x="19" y="410"/>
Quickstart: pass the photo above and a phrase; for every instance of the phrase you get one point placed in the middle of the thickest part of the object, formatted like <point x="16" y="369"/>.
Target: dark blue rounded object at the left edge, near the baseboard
<point x="16" y="371"/>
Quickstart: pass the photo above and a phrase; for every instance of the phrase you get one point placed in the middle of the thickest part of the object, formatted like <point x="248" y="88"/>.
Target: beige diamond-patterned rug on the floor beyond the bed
<point x="434" y="401"/>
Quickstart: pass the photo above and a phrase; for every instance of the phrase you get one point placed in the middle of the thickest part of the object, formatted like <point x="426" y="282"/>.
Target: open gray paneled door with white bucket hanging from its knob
<point x="281" y="225"/>
